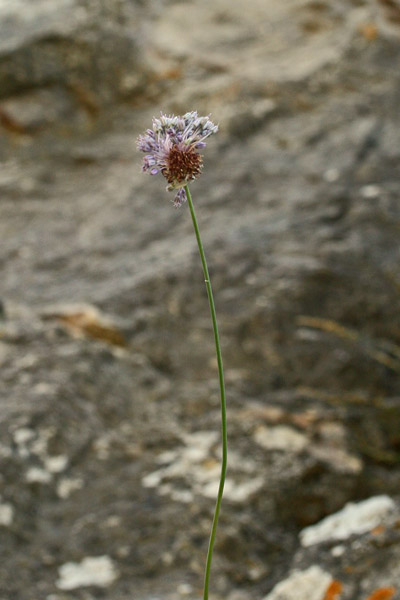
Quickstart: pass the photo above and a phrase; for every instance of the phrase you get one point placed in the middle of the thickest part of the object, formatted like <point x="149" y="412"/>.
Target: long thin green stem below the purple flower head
<point x="223" y="398"/>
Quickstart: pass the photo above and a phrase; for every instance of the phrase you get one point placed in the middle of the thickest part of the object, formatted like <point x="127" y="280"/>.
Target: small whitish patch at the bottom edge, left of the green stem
<point x="93" y="570"/>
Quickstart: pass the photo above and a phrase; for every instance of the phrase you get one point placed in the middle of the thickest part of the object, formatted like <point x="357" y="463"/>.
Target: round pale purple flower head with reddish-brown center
<point x="171" y="149"/>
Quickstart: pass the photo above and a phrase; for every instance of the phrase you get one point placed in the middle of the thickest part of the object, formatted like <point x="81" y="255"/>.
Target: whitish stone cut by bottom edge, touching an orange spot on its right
<point x="310" y="584"/>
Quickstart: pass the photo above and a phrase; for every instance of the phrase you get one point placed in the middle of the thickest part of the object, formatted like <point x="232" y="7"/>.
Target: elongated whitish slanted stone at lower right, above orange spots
<point x="354" y="518"/>
